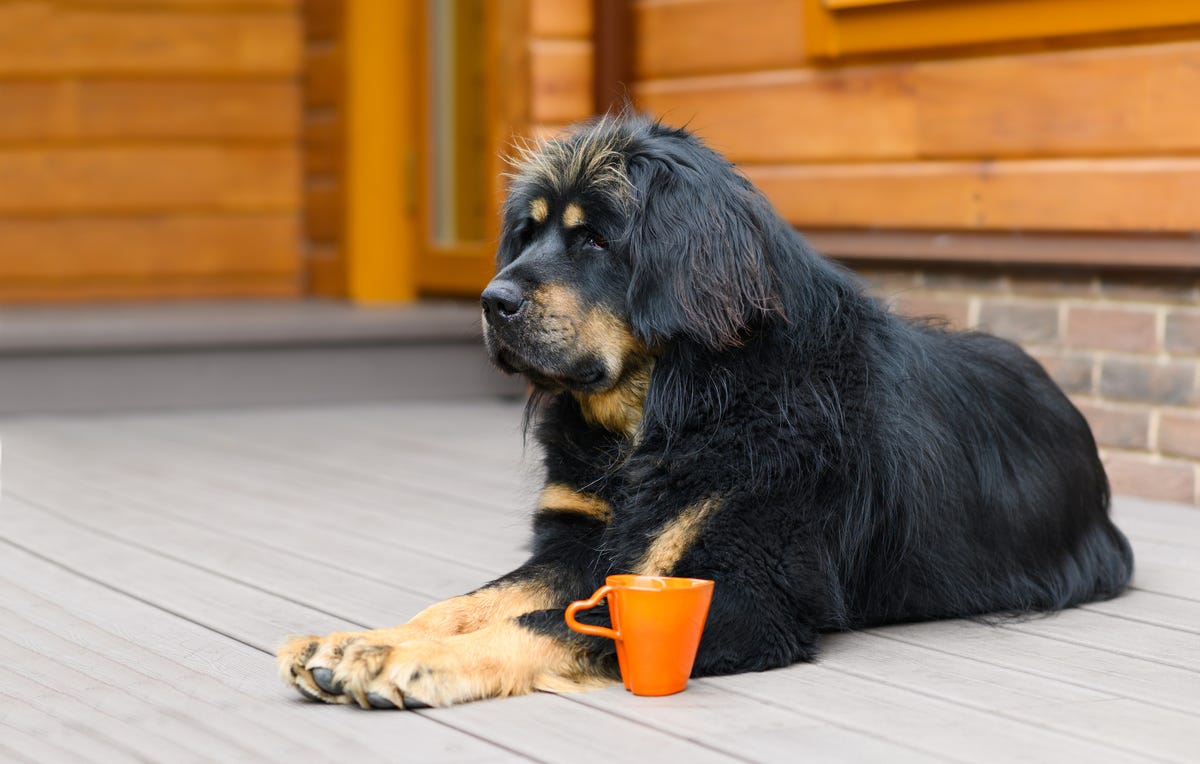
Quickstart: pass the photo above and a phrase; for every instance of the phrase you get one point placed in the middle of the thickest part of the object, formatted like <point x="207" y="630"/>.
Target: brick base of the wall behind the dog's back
<point x="1125" y="347"/>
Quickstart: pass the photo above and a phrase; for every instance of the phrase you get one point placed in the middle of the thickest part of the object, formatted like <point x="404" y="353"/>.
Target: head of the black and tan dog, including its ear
<point x="620" y="238"/>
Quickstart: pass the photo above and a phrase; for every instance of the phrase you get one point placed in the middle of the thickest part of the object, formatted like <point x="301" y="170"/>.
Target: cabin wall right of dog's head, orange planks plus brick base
<point x="1039" y="178"/>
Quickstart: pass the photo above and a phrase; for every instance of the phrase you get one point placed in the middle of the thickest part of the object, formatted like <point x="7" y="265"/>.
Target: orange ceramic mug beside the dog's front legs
<point x="657" y="623"/>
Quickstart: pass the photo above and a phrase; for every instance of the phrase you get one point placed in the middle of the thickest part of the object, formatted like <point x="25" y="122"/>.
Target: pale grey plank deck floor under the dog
<point x="149" y="566"/>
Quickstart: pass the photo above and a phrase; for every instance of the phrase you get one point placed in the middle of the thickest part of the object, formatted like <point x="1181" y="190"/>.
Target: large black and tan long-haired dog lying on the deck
<point x="717" y="401"/>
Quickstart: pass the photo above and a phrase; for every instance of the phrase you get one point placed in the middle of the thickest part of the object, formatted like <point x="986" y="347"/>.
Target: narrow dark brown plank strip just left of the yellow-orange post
<point x="325" y="148"/>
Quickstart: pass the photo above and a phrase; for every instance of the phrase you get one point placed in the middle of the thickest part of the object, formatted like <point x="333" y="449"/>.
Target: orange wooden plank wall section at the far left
<point x="149" y="149"/>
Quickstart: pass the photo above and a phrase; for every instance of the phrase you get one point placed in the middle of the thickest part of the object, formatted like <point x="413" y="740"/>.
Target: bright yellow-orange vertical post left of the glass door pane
<point x="382" y="228"/>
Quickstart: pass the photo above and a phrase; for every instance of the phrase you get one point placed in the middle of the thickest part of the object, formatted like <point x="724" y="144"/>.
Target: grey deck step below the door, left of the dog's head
<point x="109" y="358"/>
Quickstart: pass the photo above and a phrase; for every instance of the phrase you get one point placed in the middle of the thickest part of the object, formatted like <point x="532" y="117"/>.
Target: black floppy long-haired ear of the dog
<point x="697" y="245"/>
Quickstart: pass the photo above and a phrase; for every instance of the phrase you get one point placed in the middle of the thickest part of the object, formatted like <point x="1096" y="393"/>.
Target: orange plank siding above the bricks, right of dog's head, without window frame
<point x="1097" y="140"/>
